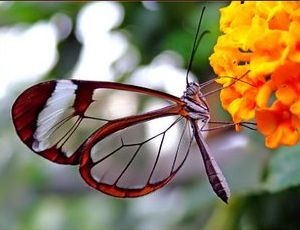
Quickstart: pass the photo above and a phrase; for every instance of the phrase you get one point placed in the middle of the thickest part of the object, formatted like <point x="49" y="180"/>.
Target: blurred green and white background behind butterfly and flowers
<point x="115" y="41"/>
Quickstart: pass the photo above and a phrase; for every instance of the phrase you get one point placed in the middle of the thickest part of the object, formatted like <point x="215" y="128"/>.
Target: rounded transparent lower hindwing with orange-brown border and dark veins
<point x="137" y="157"/>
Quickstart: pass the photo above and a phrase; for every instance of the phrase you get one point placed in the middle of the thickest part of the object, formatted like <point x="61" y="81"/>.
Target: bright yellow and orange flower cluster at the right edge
<point x="258" y="60"/>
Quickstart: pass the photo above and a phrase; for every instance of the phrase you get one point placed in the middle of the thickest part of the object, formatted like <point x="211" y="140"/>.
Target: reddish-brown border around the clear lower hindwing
<point x="86" y="163"/>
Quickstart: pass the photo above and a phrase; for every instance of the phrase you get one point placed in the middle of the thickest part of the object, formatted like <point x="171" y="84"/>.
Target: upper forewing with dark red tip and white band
<point x="55" y="118"/>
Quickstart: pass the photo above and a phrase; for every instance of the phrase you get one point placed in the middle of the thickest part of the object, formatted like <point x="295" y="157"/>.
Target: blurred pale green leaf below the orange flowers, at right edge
<point x="283" y="169"/>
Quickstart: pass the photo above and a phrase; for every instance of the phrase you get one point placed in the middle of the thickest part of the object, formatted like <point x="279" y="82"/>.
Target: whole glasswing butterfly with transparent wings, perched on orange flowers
<point x="70" y="122"/>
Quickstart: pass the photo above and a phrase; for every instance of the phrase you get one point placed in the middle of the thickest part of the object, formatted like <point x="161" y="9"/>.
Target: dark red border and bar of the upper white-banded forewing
<point x="30" y="103"/>
